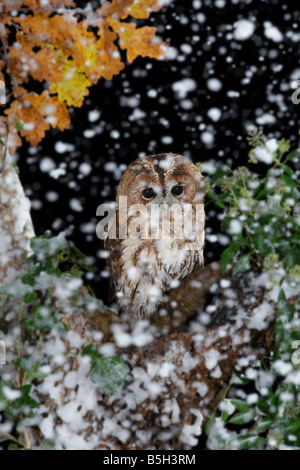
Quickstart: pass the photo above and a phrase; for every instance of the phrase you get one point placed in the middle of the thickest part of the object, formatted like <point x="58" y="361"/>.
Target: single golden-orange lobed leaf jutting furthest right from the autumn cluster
<point x="138" y="41"/>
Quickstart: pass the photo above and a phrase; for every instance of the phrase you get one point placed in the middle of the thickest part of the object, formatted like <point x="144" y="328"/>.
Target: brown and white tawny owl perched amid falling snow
<point x="158" y="237"/>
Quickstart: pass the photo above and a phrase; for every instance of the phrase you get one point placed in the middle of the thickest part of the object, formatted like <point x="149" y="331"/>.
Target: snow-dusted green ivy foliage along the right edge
<point x="262" y="218"/>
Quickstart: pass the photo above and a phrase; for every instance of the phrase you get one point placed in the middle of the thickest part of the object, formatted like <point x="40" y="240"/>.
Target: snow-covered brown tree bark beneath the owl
<point x="176" y="380"/>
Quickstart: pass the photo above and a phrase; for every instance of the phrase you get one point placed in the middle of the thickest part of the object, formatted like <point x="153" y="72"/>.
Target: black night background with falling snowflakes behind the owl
<point x="140" y="112"/>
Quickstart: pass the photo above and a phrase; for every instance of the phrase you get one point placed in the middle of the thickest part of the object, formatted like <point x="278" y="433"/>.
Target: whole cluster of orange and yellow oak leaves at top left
<point x="66" y="53"/>
